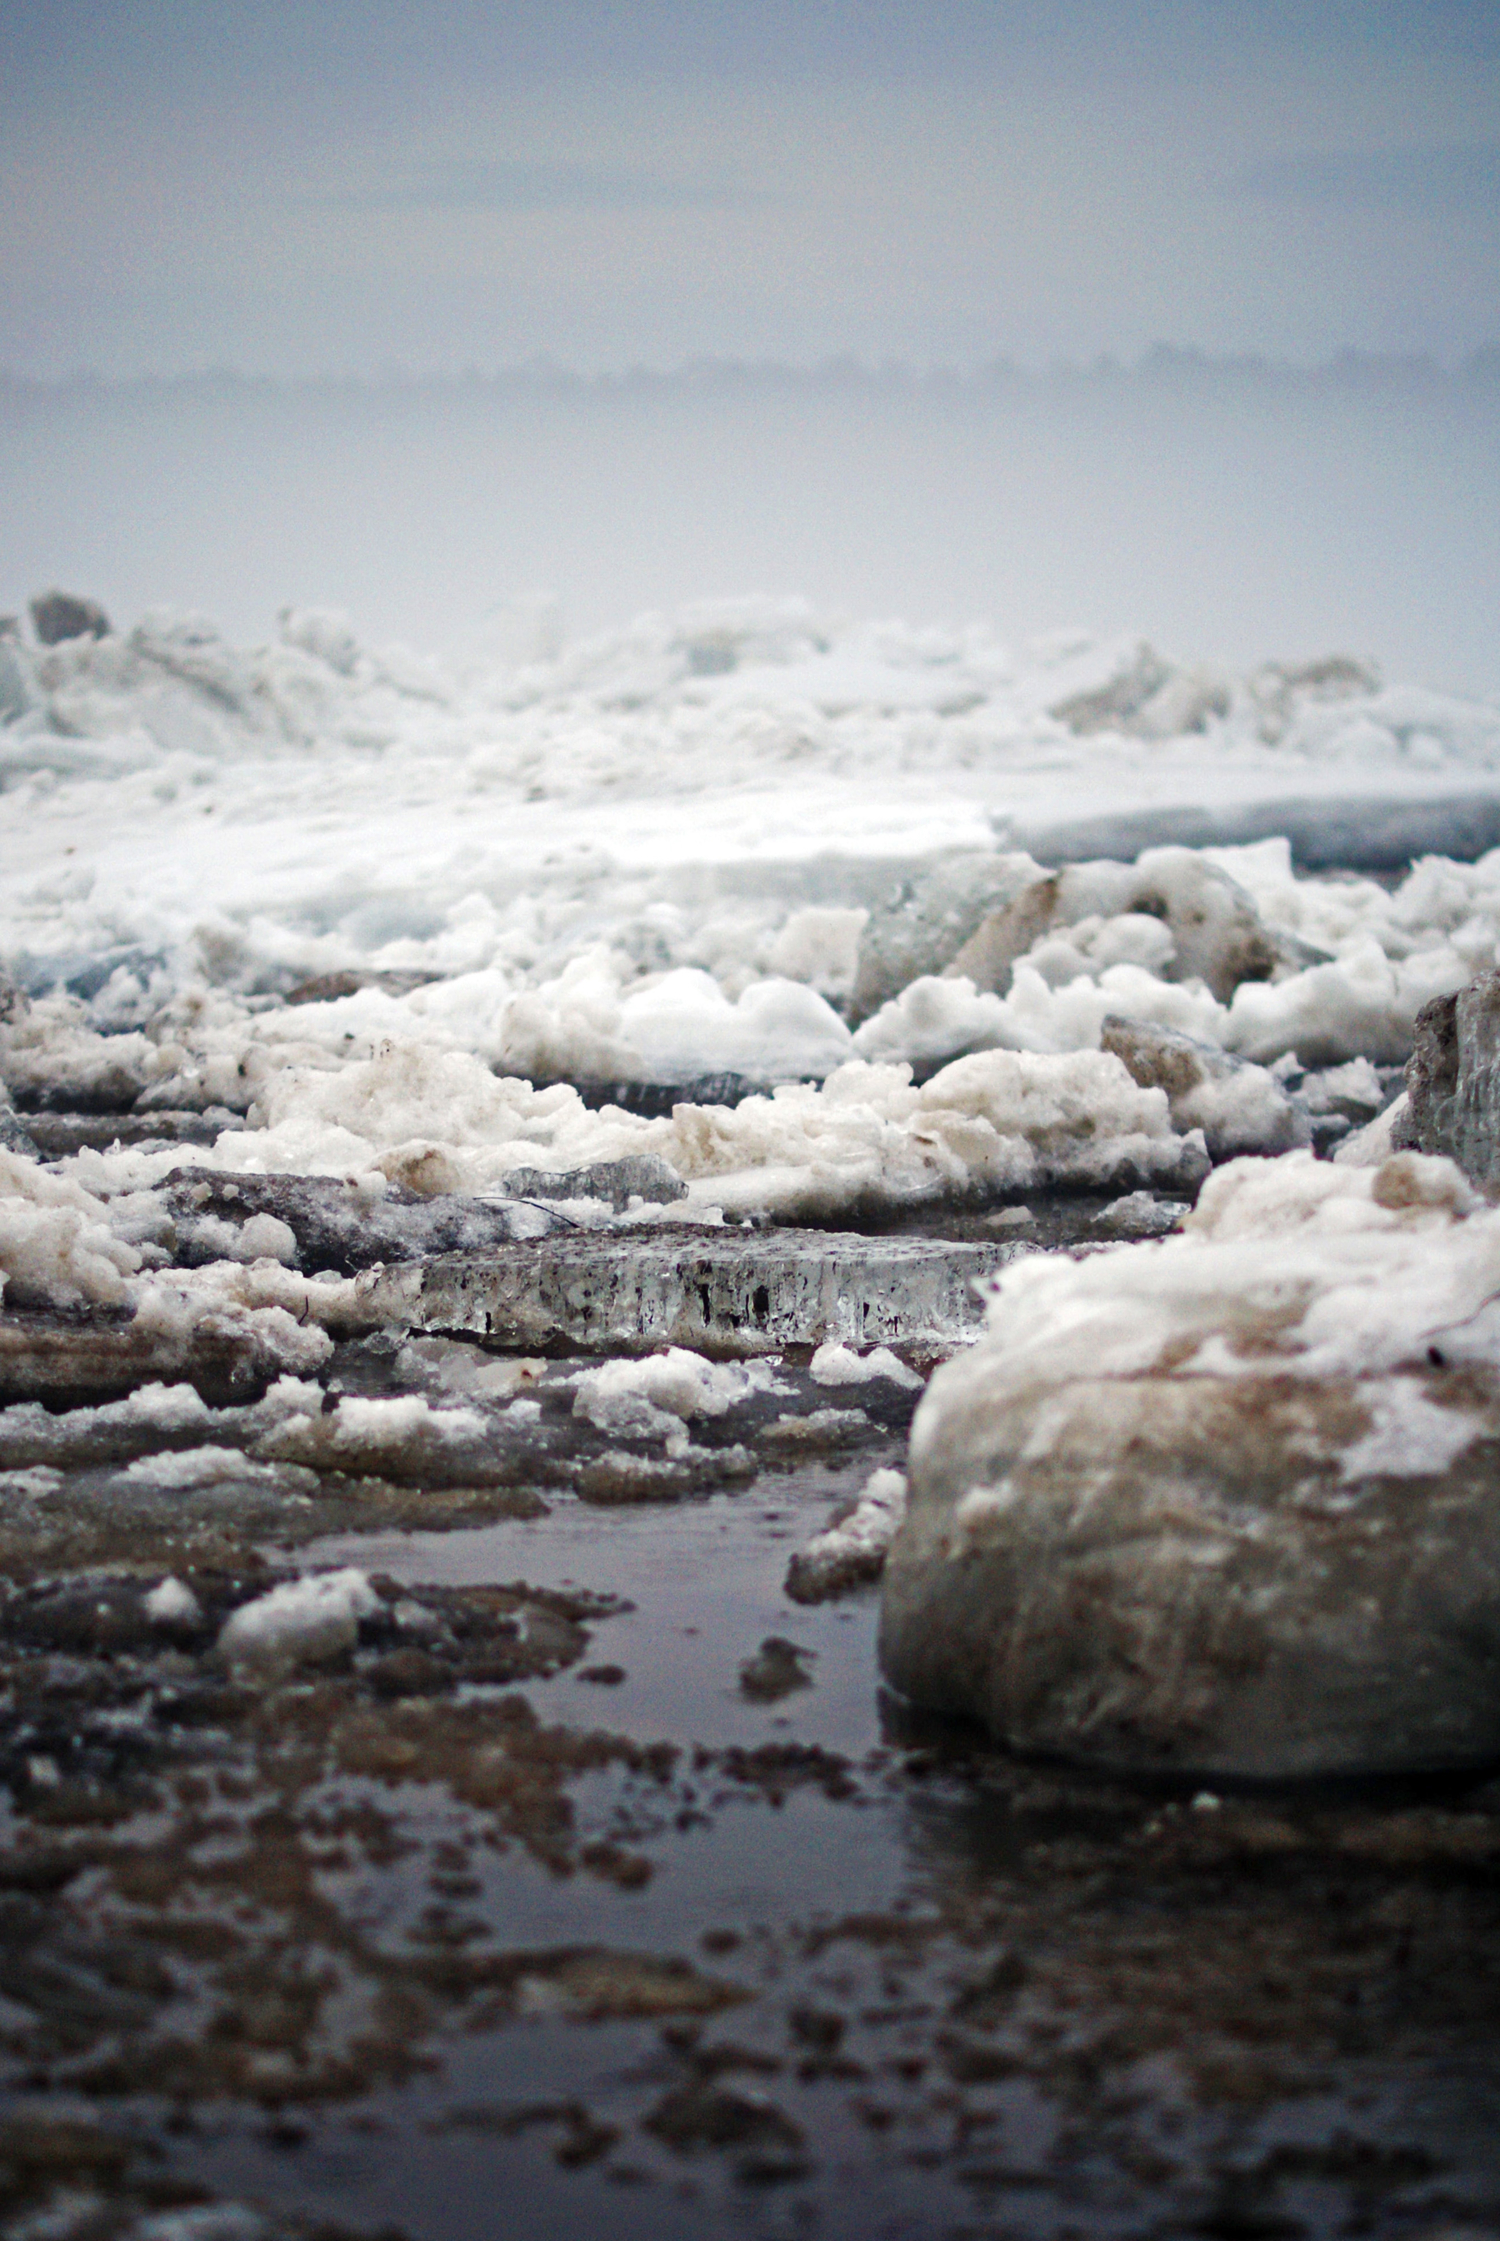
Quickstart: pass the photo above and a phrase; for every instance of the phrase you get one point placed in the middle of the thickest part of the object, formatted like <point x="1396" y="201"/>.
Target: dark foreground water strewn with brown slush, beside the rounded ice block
<point x="622" y="1922"/>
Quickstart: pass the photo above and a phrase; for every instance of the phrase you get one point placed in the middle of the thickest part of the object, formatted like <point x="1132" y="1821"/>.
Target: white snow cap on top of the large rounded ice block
<point x="1367" y="1283"/>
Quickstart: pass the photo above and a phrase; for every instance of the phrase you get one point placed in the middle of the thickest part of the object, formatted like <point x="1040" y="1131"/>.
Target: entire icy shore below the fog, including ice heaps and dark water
<point x="528" y="1191"/>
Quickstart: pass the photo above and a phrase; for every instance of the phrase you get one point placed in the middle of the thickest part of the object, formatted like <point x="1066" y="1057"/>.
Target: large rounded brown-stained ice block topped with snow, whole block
<point x="1230" y="1503"/>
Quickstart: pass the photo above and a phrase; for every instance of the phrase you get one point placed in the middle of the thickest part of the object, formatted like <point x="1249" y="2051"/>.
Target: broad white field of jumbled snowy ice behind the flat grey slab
<point x="667" y="855"/>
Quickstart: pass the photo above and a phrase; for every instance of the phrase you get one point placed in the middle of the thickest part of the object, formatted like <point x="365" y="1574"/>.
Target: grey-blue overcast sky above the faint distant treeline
<point x="355" y="187"/>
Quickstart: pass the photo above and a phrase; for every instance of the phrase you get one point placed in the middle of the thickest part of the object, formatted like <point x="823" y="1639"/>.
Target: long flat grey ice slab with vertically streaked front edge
<point x="725" y="1296"/>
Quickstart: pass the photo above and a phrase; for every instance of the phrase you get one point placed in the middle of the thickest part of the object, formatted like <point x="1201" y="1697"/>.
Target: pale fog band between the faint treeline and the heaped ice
<point x="1223" y="510"/>
